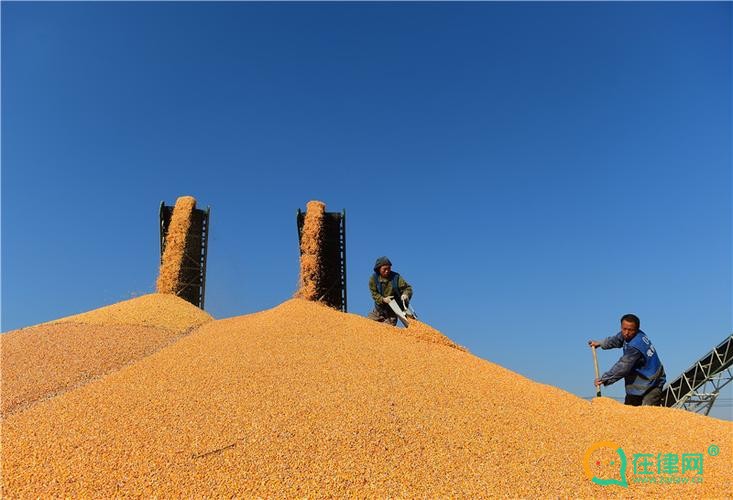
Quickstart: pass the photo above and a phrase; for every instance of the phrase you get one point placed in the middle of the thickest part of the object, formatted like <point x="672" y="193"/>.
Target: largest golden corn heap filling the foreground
<point x="303" y="400"/>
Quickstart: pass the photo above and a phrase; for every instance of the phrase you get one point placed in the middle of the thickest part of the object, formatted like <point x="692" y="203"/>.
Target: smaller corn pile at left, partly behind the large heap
<point x="45" y="360"/>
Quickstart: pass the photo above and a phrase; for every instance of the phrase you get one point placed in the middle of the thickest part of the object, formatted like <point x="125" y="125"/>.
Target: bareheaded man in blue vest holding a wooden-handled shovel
<point x="639" y="366"/>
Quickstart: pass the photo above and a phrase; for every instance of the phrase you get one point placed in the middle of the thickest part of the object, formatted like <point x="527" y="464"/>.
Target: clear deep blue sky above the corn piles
<point x="533" y="170"/>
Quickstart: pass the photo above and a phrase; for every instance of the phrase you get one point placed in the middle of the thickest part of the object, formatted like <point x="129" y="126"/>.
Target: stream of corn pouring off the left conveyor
<point x="175" y="246"/>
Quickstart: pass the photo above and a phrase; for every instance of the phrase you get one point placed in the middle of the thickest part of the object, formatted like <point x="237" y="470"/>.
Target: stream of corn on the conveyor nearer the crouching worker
<point x="310" y="250"/>
